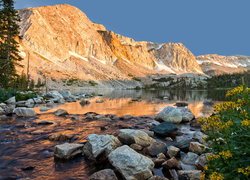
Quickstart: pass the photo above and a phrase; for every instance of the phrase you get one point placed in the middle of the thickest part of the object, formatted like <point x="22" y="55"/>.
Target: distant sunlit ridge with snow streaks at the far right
<point x="213" y="64"/>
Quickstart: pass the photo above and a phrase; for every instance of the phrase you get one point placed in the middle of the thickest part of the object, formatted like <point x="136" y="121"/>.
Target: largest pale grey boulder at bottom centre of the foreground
<point x="131" y="164"/>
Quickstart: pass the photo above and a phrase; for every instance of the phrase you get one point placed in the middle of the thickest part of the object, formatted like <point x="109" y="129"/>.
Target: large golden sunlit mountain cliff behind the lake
<point x="62" y="43"/>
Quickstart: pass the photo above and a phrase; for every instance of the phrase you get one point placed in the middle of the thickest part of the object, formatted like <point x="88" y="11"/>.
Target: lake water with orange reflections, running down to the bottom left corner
<point x="26" y="151"/>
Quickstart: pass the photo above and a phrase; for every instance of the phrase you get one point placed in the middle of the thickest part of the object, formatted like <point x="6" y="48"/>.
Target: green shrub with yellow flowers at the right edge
<point x="228" y="133"/>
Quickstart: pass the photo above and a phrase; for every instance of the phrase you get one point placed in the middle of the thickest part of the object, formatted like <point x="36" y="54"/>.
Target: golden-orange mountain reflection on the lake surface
<point x="126" y="106"/>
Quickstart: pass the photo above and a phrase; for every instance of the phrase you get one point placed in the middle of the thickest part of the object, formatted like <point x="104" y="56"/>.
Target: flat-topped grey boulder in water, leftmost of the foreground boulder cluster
<point x="67" y="150"/>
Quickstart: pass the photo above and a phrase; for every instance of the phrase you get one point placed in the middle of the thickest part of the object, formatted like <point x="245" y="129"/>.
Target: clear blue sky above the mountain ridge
<point x="204" y="26"/>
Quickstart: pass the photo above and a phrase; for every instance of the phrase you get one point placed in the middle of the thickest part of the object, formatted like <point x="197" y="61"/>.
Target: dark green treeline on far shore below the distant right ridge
<point x="229" y="80"/>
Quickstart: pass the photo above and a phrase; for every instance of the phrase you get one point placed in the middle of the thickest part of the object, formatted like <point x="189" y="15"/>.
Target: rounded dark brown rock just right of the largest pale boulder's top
<point x="156" y="148"/>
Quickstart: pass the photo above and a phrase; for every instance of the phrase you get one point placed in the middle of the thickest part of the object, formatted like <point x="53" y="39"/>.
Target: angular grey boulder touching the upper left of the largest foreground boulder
<point x="98" y="145"/>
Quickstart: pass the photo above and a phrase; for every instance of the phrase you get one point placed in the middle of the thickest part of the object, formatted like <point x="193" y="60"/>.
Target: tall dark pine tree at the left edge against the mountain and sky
<point x="9" y="31"/>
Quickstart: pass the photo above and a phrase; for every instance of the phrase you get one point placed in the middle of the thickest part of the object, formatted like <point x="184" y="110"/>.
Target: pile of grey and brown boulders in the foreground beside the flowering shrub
<point x="134" y="154"/>
